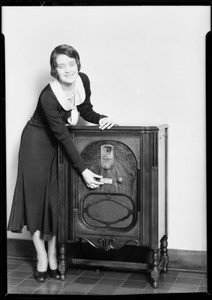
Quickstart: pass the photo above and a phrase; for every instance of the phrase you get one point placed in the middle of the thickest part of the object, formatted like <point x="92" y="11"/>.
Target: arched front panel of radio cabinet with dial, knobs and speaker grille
<point x="113" y="207"/>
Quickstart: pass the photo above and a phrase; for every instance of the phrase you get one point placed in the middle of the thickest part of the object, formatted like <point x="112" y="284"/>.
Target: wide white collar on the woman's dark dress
<point x="79" y="93"/>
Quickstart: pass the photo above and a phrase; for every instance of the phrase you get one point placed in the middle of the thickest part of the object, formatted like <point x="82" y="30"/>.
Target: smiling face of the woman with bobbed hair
<point x="67" y="69"/>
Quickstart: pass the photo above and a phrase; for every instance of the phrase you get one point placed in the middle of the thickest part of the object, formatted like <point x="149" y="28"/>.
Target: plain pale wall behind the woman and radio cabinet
<point x="146" y="65"/>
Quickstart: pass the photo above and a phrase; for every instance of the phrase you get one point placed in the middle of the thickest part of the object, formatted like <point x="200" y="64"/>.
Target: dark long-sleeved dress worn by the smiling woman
<point x="35" y="196"/>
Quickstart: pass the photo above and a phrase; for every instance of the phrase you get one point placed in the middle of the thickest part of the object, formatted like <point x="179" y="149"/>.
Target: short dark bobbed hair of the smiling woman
<point x="63" y="49"/>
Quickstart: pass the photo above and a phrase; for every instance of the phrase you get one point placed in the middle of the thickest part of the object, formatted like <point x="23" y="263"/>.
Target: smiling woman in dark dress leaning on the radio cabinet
<point x="35" y="196"/>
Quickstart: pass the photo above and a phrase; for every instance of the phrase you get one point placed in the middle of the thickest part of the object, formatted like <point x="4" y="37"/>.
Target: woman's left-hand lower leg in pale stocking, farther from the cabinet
<point x="41" y="251"/>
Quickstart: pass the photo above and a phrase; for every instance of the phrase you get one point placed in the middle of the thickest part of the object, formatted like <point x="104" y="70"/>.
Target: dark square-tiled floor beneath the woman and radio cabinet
<point x="100" y="282"/>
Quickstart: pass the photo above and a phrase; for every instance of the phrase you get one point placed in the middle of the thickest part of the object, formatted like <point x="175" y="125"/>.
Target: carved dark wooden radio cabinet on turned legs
<point x="130" y="208"/>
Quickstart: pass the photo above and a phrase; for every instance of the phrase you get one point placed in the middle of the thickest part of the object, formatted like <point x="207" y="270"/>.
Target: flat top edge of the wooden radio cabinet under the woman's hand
<point x="118" y="128"/>
